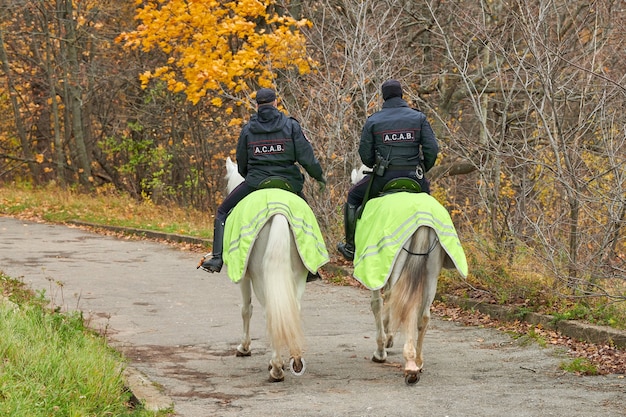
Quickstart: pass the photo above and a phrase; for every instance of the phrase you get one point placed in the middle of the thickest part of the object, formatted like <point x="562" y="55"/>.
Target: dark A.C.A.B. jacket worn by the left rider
<point x="270" y="144"/>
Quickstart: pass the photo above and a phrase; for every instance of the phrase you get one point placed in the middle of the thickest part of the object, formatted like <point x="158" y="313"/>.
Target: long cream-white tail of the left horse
<point x="282" y="307"/>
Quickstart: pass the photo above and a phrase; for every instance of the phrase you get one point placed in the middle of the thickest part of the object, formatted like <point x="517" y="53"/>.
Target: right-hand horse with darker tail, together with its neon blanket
<point x="403" y="240"/>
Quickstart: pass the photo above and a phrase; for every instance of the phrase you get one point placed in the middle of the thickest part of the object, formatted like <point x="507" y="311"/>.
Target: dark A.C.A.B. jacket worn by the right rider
<point x="397" y="132"/>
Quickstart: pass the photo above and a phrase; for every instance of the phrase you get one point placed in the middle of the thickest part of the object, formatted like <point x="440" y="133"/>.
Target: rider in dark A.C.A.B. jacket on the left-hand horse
<point x="269" y="145"/>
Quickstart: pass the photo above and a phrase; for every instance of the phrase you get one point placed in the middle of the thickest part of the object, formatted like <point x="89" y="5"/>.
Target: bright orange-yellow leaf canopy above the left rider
<point x="218" y="48"/>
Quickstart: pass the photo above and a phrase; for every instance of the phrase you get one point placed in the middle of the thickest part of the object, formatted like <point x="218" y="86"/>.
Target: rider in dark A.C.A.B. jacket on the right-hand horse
<point x="398" y="142"/>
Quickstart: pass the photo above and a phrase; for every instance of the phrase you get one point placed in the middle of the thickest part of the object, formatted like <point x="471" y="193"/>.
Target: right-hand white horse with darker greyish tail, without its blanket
<point x="408" y="295"/>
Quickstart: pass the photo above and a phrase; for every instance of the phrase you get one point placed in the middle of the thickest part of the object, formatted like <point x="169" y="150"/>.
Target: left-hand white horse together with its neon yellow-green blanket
<point x="272" y="241"/>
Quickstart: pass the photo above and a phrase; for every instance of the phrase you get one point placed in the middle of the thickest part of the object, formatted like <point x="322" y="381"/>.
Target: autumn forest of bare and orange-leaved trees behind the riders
<point x="527" y="99"/>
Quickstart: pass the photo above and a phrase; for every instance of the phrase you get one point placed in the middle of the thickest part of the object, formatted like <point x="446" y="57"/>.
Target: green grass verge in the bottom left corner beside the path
<point x="52" y="365"/>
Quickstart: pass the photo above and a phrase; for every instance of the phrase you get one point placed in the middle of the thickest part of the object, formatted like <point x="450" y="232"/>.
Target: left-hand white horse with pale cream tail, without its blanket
<point x="278" y="276"/>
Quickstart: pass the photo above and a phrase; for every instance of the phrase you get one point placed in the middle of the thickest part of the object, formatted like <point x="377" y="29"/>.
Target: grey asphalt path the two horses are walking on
<point x="178" y="327"/>
